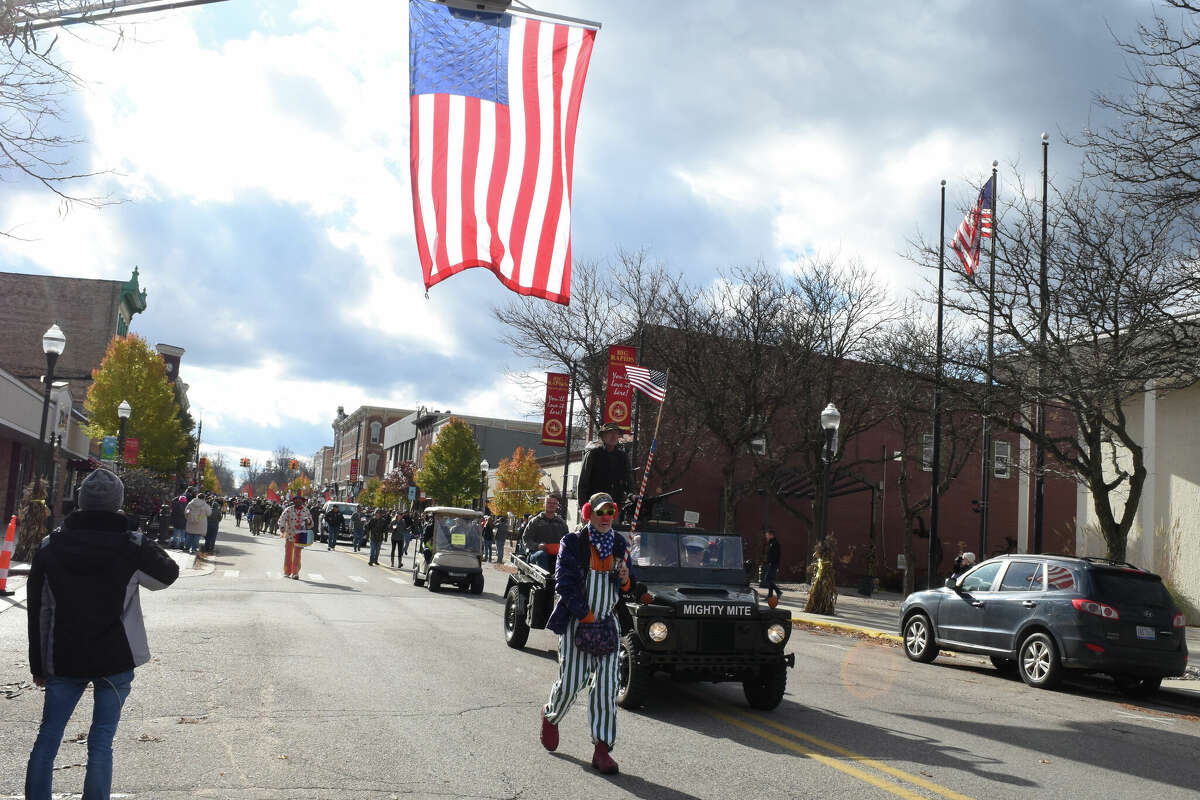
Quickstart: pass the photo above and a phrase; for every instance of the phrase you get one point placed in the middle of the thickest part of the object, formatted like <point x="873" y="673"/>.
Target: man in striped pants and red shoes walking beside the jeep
<point x="591" y="574"/>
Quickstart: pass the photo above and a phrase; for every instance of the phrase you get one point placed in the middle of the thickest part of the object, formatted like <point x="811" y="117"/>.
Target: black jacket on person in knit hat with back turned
<point x="85" y="609"/>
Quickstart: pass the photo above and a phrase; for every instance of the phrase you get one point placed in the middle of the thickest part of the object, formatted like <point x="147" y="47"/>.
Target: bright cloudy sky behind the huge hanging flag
<point x="260" y="151"/>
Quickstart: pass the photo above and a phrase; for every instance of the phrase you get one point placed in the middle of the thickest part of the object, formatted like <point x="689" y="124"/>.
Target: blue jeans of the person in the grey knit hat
<point x="62" y="696"/>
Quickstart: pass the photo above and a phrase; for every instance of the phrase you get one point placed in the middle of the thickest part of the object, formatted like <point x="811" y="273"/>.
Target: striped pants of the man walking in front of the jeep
<point x="578" y="670"/>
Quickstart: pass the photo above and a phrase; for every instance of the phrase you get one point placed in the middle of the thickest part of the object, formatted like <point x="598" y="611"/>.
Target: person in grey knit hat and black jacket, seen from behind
<point x="86" y="627"/>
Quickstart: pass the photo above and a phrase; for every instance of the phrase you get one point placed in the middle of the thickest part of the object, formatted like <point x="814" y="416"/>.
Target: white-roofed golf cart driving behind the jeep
<point x="452" y="550"/>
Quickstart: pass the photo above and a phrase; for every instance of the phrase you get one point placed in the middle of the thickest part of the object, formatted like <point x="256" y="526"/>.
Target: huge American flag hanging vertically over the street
<point x="495" y="105"/>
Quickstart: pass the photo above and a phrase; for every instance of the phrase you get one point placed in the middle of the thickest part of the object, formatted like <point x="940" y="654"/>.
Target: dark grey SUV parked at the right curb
<point x="1043" y="615"/>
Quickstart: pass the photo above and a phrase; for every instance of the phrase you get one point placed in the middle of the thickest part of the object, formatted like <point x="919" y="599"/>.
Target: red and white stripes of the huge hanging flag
<point x="493" y="184"/>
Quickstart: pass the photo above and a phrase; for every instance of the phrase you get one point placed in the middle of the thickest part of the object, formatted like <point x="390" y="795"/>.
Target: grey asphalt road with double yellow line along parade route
<point x="355" y="684"/>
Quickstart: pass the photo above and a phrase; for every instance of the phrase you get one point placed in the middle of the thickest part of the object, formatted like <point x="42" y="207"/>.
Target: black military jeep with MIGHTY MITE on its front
<point x="693" y="617"/>
